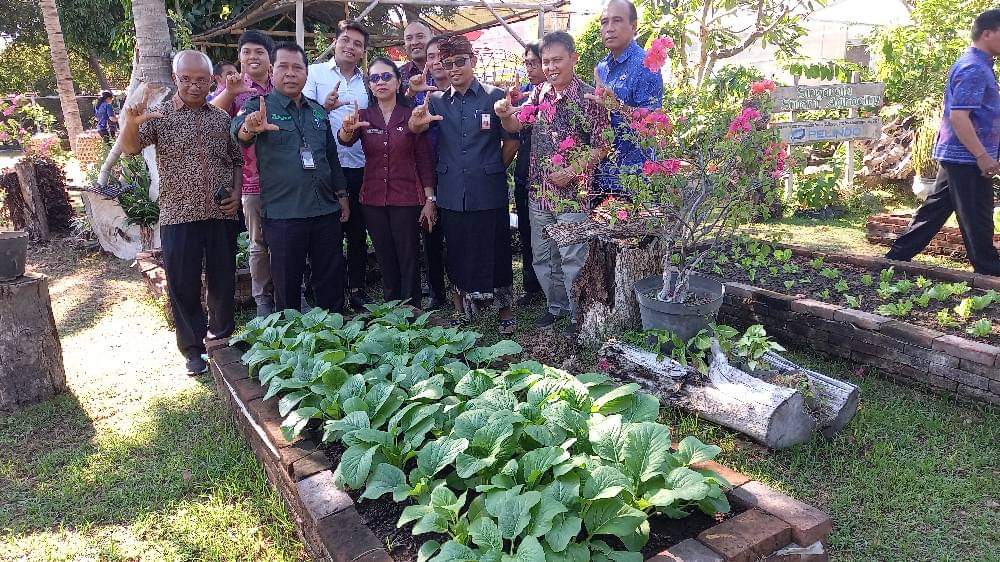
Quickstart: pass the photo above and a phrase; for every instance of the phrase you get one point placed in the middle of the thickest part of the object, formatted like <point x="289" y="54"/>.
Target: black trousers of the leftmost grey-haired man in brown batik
<point x="188" y="249"/>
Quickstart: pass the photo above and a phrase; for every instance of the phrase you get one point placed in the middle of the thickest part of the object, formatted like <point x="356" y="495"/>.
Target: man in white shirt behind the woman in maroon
<point x="338" y="85"/>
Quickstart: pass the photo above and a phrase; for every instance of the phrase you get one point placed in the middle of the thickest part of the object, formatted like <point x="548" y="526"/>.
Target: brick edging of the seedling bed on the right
<point x="908" y="353"/>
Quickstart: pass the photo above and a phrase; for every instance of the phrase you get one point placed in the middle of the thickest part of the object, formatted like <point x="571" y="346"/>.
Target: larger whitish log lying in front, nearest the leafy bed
<point x="773" y="415"/>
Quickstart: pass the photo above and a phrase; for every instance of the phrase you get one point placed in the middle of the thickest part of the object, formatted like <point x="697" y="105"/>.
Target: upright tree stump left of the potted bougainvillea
<point x="605" y="302"/>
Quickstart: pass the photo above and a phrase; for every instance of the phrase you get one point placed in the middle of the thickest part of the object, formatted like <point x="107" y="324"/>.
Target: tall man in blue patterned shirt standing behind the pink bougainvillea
<point x="633" y="85"/>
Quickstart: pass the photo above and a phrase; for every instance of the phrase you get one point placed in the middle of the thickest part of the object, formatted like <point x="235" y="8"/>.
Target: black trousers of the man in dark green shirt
<point x="292" y="241"/>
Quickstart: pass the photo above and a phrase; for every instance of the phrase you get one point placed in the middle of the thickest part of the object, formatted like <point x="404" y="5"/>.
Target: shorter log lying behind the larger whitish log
<point x="834" y="402"/>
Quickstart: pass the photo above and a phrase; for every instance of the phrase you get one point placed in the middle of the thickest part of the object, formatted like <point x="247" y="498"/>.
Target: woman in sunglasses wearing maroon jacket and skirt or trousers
<point x="397" y="194"/>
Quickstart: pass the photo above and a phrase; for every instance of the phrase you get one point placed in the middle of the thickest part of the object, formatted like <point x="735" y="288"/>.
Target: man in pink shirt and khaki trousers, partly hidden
<point x="253" y="81"/>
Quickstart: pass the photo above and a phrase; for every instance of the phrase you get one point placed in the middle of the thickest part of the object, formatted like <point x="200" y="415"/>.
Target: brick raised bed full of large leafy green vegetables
<point x="538" y="493"/>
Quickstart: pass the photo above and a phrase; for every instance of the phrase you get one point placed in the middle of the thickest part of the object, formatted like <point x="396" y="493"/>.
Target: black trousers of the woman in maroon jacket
<point x="394" y="232"/>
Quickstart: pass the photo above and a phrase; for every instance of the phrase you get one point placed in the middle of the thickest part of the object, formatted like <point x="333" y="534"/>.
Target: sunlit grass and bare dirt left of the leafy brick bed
<point x="137" y="461"/>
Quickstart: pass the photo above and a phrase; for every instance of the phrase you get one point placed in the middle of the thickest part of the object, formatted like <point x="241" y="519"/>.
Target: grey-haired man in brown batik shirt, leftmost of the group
<point x="199" y="166"/>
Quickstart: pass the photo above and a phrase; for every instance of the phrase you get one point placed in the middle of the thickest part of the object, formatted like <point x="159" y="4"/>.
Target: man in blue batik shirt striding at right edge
<point x="966" y="150"/>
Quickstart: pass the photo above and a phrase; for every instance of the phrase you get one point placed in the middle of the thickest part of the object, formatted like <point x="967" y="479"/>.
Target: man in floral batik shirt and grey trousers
<point x="567" y="143"/>
